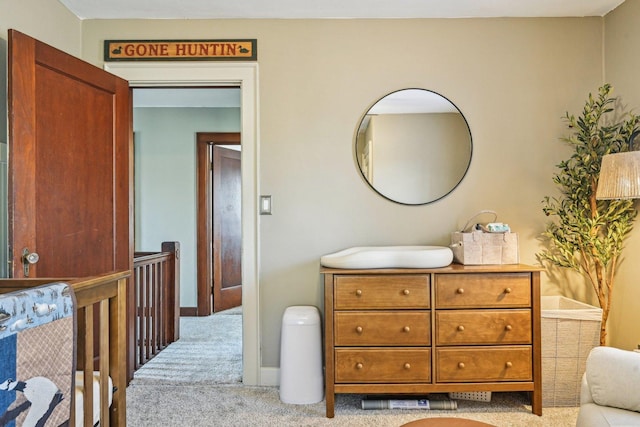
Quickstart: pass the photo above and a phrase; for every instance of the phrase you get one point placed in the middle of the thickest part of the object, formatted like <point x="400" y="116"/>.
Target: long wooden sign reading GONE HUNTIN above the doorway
<point x="180" y="50"/>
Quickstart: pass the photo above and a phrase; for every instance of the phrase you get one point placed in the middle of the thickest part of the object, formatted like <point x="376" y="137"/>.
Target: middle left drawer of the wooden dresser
<point x="404" y="328"/>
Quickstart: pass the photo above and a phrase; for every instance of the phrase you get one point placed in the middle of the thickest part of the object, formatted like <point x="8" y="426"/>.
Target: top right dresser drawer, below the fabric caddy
<point x="483" y="290"/>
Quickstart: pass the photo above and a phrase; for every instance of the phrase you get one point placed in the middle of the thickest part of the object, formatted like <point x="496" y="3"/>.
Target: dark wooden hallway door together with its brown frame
<point x="219" y="245"/>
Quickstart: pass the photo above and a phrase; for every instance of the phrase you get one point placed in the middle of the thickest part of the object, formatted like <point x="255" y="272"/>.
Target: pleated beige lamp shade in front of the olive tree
<point x="619" y="176"/>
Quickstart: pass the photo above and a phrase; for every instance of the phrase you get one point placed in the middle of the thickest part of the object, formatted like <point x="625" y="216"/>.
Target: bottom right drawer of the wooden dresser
<point x="484" y="364"/>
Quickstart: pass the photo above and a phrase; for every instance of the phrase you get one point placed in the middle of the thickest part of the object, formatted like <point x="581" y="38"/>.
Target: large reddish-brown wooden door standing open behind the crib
<point x="70" y="164"/>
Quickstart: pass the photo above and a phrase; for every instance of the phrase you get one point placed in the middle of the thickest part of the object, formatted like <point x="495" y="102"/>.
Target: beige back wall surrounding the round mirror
<point x="513" y="79"/>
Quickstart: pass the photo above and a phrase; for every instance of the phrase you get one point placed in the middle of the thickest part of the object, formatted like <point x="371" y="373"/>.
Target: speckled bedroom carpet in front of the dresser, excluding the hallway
<point x="237" y="405"/>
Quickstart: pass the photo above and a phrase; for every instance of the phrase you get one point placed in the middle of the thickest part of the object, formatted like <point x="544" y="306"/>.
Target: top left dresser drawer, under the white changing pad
<point x="381" y="291"/>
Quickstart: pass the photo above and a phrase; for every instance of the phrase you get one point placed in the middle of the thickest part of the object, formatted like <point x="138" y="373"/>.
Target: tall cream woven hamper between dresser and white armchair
<point x="570" y="329"/>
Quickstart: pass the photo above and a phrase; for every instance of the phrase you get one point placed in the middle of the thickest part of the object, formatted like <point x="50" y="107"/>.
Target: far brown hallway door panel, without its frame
<point x="227" y="229"/>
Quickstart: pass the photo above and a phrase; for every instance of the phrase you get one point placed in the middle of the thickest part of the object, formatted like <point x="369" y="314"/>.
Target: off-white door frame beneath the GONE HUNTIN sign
<point x="189" y="74"/>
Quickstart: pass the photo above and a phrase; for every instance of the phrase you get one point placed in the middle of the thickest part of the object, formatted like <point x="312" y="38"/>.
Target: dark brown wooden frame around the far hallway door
<point x="205" y="250"/>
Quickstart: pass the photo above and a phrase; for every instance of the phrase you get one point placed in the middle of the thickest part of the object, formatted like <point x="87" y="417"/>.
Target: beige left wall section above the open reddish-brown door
<point x="46" y="20"/>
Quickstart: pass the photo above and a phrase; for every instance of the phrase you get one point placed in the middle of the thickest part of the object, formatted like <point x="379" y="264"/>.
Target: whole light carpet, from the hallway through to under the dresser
<point x="196" y="382"/>
